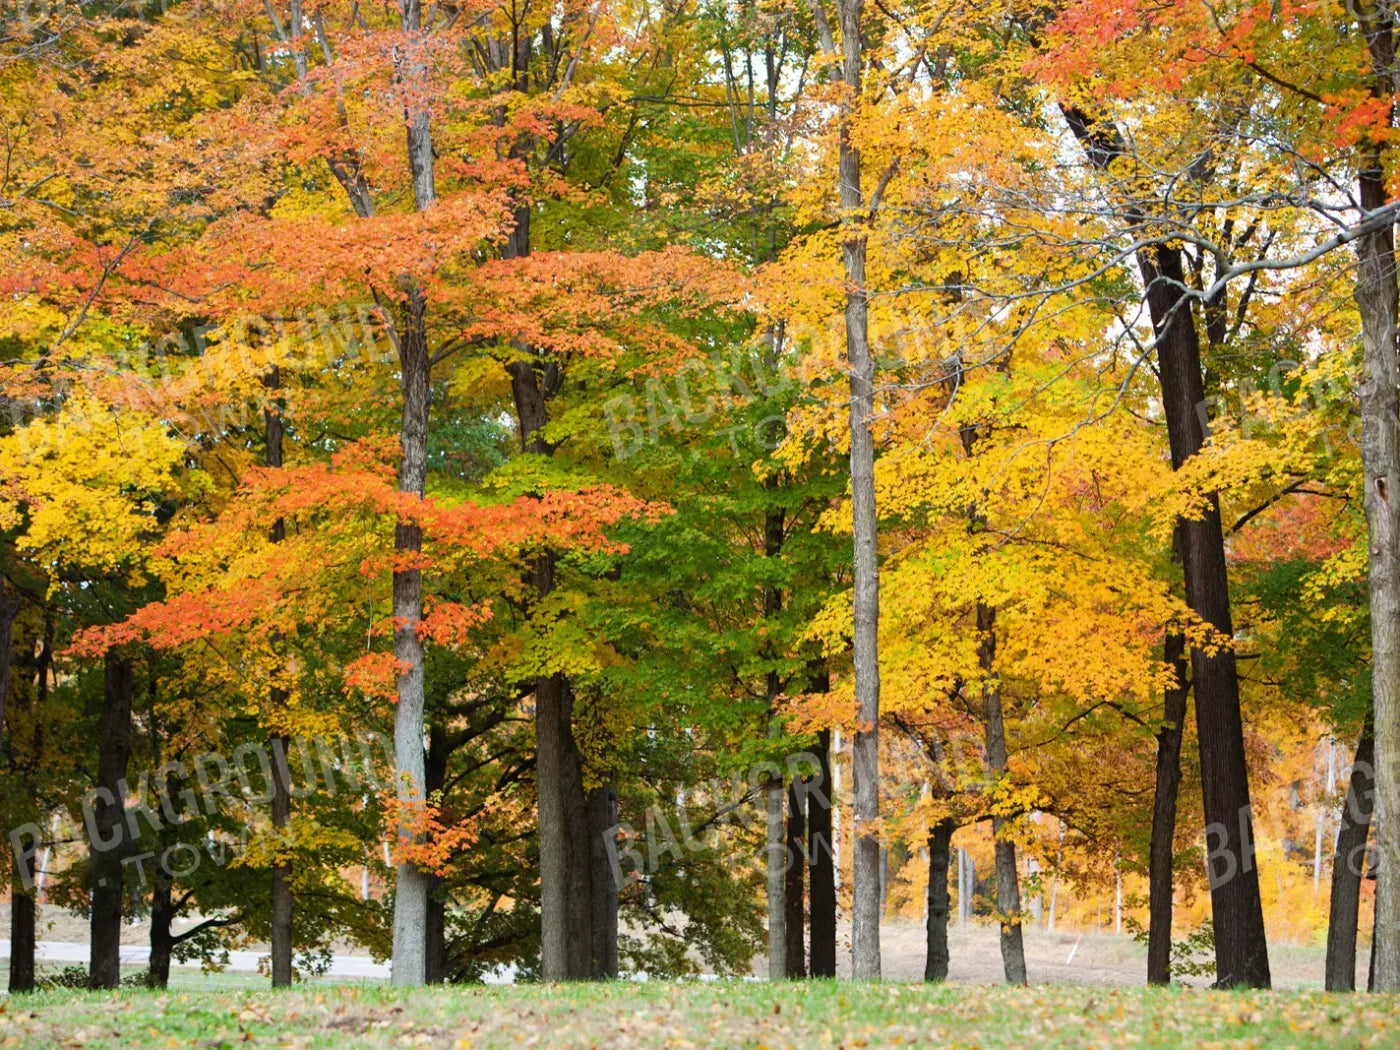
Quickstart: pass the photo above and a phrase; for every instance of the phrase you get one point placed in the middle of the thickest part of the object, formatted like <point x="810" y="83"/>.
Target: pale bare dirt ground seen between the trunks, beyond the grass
<point x="1052" y="958"/>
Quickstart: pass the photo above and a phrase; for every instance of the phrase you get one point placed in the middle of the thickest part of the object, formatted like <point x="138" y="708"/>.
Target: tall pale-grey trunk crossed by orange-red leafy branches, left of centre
<point x="411" y="895"/>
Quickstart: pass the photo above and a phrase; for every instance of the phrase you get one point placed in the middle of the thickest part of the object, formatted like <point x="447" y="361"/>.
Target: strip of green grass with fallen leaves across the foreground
<point x="806" y="1016"/>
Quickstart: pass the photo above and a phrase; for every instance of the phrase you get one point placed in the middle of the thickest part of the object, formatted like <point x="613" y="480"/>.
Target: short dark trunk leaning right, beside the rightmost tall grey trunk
<point x="1349" y="867"/>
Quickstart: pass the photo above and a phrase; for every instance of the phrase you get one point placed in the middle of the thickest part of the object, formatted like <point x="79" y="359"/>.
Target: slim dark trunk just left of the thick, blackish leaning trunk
<point x="1164" y="817"/>
